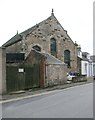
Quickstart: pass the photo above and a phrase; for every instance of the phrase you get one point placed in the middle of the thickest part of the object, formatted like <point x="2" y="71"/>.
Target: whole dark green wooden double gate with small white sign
<point x="18" y="78"/>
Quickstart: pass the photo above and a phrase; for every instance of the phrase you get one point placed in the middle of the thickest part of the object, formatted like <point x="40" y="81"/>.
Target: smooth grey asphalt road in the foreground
<point x="74" y="102"/>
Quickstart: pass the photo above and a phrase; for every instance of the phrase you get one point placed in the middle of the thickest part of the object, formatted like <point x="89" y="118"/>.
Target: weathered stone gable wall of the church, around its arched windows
<point x="41" y="35"/>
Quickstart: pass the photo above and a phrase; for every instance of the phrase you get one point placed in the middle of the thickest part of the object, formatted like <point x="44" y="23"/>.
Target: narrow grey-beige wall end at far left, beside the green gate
<point x="2" y="71"/>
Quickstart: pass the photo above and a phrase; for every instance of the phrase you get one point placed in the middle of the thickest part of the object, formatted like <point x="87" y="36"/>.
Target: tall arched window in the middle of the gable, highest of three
<point x="53" y="47"/>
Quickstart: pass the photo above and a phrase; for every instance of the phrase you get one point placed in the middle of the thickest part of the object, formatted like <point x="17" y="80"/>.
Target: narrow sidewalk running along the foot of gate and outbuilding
<point x="36" y="91"/>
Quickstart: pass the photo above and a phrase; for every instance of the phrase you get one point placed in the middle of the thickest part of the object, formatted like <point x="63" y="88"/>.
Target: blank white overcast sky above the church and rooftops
<point x="76" y="16"/>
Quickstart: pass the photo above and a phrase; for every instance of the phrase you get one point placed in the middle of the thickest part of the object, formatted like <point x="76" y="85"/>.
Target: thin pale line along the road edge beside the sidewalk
<point x="39" y="94"/>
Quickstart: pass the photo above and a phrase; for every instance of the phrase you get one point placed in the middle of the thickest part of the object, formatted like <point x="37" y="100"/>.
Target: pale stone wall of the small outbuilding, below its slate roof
<point x="55" y="74"/>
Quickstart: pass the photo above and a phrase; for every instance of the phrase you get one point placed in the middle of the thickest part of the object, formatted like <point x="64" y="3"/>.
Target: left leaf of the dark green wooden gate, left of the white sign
<point x="14" y="79"/>
